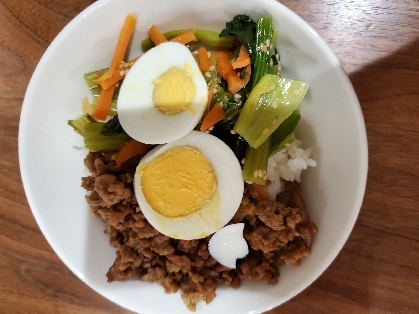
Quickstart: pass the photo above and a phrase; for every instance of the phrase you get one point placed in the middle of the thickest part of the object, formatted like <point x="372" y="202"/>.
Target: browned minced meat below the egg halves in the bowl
<point x="276" y="233"/>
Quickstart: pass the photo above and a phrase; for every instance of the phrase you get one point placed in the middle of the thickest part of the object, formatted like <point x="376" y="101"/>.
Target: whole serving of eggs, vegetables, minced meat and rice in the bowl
<point x="248" y="108"/>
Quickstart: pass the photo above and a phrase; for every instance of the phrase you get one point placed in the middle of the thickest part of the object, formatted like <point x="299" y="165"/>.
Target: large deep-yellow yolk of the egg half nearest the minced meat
<point x="178" y="182"/>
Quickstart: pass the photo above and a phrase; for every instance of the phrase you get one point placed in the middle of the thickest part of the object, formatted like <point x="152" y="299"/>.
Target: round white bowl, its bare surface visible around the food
<point x="332" y="124"/>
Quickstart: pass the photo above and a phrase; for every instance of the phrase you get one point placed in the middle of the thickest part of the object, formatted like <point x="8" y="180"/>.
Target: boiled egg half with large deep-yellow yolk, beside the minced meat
<point x="189" y="188"/>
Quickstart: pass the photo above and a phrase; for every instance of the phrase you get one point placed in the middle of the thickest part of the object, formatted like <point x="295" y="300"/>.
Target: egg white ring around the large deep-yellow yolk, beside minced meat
<point x="222" y="205"/>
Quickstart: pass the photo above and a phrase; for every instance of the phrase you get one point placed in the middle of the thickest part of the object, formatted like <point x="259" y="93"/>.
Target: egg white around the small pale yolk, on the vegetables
<point x="136" y="111"/>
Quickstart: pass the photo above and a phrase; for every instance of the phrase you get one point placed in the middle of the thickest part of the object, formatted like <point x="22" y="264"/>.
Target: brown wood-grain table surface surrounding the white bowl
<point x="377" y="271"/>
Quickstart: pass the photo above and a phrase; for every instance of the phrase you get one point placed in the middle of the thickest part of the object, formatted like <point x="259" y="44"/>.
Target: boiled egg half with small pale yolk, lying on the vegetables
<point x="163" y="96"/>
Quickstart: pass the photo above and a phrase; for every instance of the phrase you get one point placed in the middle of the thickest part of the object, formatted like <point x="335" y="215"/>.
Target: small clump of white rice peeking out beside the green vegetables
<point x="287" y="164"/>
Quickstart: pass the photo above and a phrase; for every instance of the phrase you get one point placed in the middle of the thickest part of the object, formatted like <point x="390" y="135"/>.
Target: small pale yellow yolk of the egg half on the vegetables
<point x="173" y="91"/>
